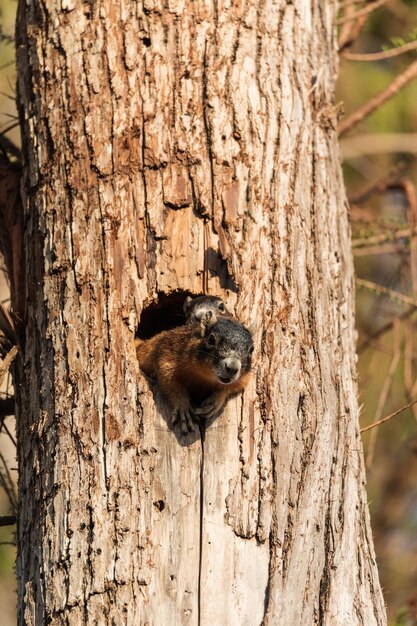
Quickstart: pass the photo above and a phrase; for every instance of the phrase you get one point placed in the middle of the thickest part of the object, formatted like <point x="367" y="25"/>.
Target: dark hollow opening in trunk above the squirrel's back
<point x="163" y="314"/>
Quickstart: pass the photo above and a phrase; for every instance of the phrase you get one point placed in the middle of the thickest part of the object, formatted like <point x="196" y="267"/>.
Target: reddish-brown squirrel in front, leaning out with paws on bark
<point x="198" y="367"/>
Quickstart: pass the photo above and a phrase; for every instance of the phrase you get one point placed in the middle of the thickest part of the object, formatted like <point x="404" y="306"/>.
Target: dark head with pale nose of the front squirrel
<point x="229" y="346"/>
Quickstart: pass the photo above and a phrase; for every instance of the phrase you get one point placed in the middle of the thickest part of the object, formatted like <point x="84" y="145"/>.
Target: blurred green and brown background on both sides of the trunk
<point x="378" y="80"/>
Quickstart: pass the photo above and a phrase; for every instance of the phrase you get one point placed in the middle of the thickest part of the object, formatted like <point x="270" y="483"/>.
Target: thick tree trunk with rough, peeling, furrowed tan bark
<point x="170" y="148"/>
